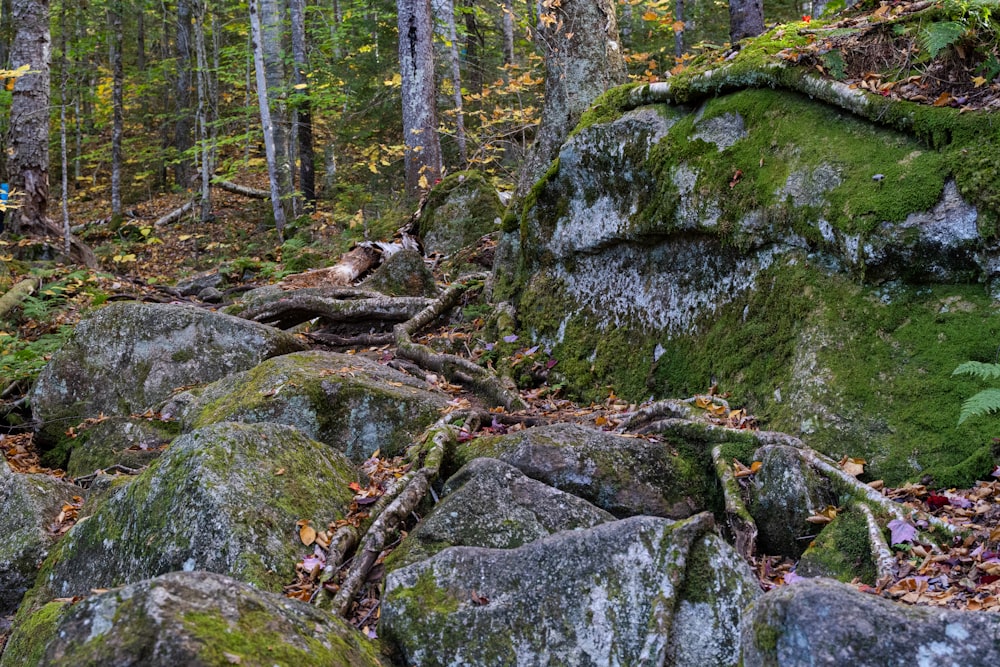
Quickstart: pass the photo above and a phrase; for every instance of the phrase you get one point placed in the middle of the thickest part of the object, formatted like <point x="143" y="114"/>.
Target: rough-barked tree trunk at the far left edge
<point x="28" y="147"/>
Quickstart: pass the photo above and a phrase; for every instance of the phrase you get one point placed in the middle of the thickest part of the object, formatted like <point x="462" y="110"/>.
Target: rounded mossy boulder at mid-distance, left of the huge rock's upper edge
<point x="459" y="210"/>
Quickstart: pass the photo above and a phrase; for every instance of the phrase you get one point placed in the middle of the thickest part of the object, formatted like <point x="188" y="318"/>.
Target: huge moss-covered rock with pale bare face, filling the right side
<point x="826" y="271"/>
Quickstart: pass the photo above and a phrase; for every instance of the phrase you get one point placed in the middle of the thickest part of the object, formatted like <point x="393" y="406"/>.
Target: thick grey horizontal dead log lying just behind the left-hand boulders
<point x="299" y="307"/>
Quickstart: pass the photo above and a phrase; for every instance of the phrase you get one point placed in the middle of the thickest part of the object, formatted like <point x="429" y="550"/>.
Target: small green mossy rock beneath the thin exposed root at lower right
<point x="841" y="551"/>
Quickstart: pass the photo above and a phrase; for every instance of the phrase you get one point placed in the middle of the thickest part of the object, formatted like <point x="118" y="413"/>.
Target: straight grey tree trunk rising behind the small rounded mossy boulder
<point x="416" y="61"/>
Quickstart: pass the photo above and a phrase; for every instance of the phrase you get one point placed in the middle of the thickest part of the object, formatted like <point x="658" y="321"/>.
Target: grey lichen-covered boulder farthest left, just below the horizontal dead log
<point x="127" y="357"/>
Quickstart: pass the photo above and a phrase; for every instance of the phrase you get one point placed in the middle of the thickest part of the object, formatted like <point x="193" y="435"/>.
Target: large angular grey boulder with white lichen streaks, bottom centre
<point x="609" y="595"/>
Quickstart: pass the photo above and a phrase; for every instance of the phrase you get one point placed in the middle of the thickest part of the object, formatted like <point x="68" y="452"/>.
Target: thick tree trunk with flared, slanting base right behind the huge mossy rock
<point x="581" y="62"/>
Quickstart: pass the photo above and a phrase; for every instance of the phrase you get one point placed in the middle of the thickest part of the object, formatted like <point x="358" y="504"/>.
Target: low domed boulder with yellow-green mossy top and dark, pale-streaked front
<point x="349" y="402"/>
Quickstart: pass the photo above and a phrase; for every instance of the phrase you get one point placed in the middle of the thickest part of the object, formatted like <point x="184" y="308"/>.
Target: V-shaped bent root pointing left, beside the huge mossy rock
<point x="454" y="368"/>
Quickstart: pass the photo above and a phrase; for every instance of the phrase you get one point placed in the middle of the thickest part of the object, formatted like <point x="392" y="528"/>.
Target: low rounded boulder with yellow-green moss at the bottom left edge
<point x="201" y="618"/>
